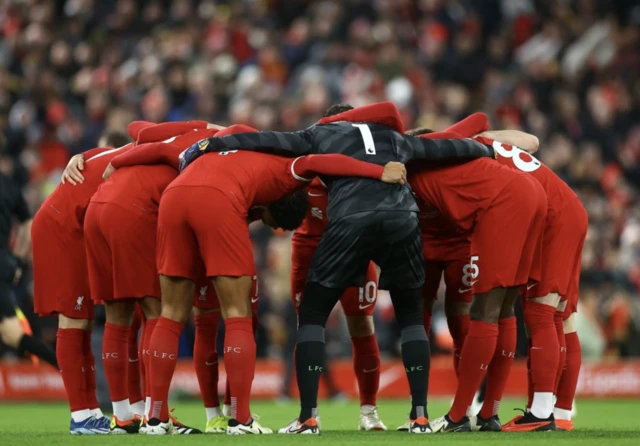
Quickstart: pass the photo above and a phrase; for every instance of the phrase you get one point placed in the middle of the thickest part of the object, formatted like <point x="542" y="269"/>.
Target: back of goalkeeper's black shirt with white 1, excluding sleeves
<point x="374" y="143"/>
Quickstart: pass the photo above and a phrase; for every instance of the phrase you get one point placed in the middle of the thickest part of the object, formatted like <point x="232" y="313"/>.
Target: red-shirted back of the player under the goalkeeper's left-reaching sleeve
<point x="247" y="178"/>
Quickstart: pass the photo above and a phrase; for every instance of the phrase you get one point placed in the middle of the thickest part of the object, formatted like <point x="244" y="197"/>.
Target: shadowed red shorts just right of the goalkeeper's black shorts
<point x="449" y="256"/>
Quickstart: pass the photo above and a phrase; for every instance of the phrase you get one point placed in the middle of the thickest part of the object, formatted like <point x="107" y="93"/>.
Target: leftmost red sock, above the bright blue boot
<point x="70" y="356"/>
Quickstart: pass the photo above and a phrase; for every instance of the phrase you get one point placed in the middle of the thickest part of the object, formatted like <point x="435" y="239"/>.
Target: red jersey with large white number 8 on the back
<point x="558" y="192"/>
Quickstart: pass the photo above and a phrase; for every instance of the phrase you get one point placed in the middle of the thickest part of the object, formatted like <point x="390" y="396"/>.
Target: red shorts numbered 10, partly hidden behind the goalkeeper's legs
<point x="355" y="301"/>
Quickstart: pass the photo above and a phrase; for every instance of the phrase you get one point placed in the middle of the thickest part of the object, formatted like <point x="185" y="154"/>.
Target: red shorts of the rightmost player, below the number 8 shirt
<point x="562" y="241"/>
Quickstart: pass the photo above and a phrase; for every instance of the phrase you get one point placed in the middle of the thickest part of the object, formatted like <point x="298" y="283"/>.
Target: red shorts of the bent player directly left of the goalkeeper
<point x="202" y="223"/>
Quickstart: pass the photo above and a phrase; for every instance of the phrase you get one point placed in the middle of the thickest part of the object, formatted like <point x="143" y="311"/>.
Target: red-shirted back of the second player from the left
<point x="137" y="188"/>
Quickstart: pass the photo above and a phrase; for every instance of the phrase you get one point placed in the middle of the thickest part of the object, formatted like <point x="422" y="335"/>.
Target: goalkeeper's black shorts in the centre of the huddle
<point x="390" y="238"/>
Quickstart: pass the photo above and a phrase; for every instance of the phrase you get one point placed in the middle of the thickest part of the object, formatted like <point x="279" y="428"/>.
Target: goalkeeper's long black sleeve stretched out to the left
<point x="280" y="143"/>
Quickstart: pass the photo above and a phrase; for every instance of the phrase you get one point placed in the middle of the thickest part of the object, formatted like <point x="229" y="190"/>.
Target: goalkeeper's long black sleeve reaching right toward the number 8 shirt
<point x="447" y="149"/>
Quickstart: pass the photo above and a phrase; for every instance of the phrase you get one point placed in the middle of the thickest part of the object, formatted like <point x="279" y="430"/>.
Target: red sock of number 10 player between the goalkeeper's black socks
<point x="366" y="363"/>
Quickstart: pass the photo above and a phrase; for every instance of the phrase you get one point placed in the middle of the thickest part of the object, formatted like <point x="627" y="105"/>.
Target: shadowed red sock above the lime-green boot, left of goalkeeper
<point x="205" y="357"/>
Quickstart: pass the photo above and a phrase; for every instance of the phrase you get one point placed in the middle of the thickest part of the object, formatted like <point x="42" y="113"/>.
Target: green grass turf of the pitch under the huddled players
<point x="598" y="421"/>
